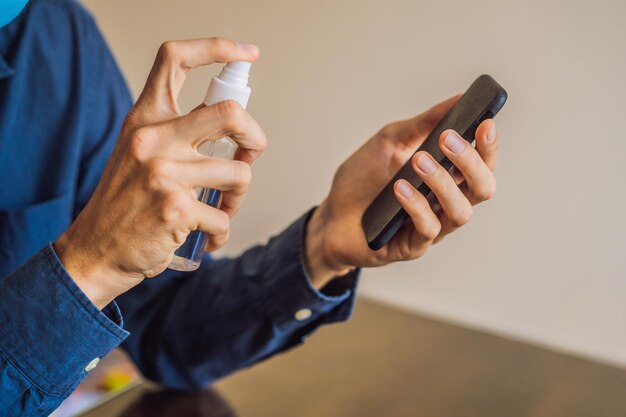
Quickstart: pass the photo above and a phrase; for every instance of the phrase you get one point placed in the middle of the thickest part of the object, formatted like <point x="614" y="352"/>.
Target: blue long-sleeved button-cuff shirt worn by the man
<point x="62" y="101"/>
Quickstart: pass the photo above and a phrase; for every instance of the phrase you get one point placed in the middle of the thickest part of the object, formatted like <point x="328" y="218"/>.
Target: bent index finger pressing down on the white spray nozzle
<point x="176" y="58"/>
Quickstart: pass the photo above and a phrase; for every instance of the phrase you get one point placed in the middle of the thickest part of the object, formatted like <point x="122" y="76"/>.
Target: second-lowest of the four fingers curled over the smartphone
<point x="455" y="205"/>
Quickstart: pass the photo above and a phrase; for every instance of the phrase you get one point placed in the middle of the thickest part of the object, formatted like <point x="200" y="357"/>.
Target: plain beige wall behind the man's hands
<point x="544" y="261"/>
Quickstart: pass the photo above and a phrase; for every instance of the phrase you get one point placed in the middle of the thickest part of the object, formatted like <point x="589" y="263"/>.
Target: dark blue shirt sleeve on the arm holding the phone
<point x="188" y="329"/>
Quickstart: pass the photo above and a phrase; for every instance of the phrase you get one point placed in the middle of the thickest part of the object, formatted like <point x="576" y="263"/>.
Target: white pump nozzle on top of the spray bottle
<point x="231" y="84"/>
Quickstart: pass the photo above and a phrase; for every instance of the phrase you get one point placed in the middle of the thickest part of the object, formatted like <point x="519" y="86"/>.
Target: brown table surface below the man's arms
<point x="385" y="362"/>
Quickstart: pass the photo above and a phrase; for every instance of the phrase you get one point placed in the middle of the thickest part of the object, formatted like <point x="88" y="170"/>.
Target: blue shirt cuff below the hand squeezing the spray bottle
<point x="51" y="331"/>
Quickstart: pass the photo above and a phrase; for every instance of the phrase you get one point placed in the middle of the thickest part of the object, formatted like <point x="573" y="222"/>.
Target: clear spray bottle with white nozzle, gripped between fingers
<point x="231" y="84"/>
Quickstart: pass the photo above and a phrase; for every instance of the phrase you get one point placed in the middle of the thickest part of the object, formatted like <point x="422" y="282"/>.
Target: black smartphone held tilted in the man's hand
<point x="482" y="100"/>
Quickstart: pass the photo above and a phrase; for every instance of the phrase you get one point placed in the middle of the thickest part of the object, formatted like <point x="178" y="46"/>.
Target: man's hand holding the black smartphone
<point x="335" y="242"/>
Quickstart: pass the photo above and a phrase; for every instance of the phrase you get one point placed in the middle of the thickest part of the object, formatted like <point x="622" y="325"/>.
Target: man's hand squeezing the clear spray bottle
<point x="145" y="205"/>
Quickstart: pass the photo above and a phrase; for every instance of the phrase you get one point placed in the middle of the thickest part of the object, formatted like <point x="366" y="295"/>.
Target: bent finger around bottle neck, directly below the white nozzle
<point x="224" y="119"/>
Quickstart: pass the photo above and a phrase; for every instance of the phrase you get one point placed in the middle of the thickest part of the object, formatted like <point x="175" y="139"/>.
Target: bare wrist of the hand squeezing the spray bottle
<point x="94" y="280"/>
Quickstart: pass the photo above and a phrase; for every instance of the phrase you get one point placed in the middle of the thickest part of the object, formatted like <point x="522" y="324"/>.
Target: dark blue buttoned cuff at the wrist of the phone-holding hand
<point x="294" y="301"/>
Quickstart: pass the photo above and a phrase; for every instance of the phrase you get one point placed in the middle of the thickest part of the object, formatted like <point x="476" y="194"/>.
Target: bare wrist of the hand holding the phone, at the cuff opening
<point x="322" y="267"/>
